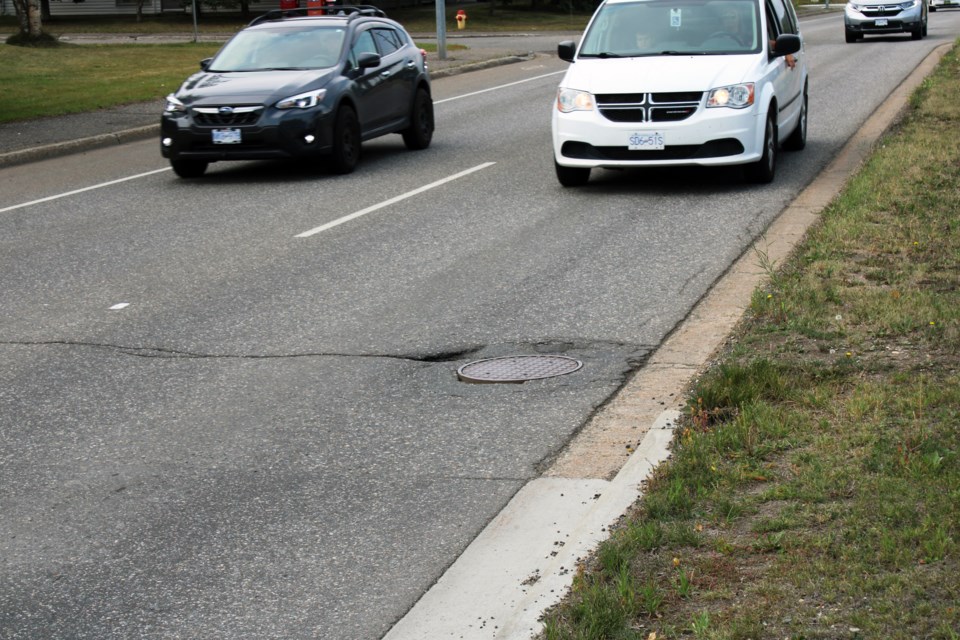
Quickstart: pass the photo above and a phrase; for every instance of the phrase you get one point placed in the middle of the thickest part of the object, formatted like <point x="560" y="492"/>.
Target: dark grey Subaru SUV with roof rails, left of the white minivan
<point x="294" y="84"/>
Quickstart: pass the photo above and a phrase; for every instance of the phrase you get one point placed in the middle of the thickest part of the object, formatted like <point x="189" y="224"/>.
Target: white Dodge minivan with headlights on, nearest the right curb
<point x="681" y="82"/>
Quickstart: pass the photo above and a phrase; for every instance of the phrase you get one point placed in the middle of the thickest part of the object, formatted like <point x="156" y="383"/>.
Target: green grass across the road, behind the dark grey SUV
<point x="71" y="78"/>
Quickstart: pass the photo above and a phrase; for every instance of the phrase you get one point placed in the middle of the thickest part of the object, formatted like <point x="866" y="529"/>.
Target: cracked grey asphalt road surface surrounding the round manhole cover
<point x="215" y="428"/>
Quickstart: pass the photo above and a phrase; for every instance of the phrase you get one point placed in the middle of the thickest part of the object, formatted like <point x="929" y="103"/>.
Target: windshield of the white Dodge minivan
<point x="673" y="27"/>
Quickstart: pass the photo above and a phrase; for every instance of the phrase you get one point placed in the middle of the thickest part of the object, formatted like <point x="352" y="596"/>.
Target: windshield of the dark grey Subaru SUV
<point x="310" y="47"/>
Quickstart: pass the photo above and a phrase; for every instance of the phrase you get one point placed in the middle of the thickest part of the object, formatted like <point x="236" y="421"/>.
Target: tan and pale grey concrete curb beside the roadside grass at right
<point x="524" y="561"/>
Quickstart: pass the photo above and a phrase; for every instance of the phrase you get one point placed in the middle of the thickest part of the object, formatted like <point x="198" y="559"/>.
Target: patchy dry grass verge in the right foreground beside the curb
<point x="814" y="487"/>
